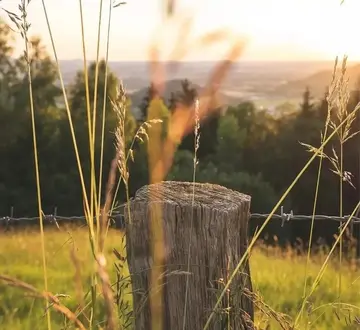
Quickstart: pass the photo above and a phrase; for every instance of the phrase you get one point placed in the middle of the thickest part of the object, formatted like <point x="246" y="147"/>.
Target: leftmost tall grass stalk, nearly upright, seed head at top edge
<point x="25" y="27"/>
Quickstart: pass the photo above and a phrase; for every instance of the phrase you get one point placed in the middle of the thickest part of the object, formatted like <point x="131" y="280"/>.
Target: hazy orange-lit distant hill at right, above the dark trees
<point x="316" y="82"/>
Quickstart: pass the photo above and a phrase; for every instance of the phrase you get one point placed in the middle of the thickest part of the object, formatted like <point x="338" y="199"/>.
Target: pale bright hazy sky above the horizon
<point x="274" y="29"/>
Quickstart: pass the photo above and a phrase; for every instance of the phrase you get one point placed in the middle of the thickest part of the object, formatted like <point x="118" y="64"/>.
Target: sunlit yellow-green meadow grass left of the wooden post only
<point x="21" y="258"/>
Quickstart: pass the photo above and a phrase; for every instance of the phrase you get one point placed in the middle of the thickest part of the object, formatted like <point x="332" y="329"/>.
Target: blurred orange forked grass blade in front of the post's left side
<point x="161" y="153"/>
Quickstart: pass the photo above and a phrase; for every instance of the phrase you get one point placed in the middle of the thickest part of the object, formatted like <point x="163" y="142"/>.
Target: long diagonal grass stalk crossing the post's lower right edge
<point x="256" y="236"/>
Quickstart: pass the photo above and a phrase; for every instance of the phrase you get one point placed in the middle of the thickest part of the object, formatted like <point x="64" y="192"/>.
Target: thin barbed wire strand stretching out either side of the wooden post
<point x="118" y="219"/>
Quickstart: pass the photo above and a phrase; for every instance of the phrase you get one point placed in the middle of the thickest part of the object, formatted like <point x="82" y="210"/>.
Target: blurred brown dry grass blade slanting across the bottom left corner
<point x="53" y="300"/>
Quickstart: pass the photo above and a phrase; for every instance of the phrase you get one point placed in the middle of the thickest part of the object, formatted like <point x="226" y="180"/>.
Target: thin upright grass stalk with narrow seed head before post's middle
<point x="195" y="163"/>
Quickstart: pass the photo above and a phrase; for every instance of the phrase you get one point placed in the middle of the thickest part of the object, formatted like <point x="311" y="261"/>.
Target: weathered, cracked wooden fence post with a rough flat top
<point x="218" y="239"/>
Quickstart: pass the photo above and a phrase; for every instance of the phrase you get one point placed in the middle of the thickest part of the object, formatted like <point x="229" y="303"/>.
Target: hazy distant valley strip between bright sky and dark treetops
<point x="266" y="83"/>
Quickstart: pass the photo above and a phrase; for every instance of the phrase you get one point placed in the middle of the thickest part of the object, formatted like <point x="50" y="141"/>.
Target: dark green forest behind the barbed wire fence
<point x="244" y="148"/>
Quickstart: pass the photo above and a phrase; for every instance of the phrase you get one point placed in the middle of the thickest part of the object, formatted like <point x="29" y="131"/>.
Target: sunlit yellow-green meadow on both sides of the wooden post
<point x="277" y="276"/>
